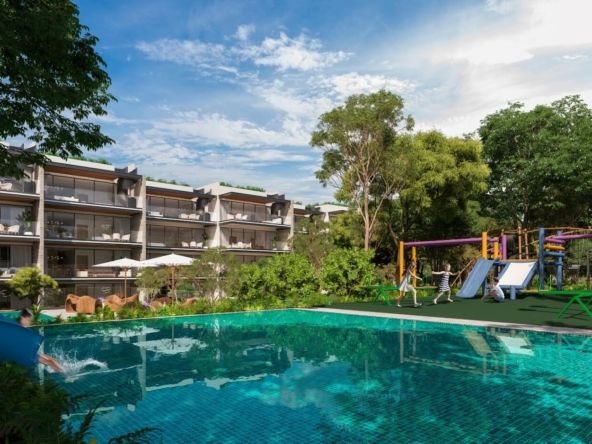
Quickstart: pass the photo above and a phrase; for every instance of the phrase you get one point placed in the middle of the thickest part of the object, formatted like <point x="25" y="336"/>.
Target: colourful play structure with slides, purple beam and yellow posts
<point x="516" y="272"/>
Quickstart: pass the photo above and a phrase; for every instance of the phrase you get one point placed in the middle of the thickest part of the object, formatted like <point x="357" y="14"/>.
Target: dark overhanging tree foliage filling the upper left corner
<point x="52" y="80"/>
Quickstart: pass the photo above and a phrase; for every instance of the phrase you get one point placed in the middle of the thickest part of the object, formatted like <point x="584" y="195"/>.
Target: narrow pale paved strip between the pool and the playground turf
<point x="543" y="328"/>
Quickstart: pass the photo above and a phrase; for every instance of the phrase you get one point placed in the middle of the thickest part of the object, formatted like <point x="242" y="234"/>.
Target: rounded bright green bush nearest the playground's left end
<point x="346" y="270"/>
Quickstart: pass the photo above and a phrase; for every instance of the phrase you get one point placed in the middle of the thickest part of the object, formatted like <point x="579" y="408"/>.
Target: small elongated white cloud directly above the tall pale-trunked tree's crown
<point x="354" y="83"/>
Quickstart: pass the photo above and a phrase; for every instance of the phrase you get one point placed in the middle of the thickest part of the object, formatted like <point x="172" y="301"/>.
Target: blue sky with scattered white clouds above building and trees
<point x="231" y="89"/>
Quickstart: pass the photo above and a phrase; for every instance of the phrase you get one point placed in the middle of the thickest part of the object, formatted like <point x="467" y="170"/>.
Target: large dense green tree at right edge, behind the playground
<point x="541" y="167"/>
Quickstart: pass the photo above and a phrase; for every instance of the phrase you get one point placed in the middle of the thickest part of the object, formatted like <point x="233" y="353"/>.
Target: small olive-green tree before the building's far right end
<point x="312" y="240"/>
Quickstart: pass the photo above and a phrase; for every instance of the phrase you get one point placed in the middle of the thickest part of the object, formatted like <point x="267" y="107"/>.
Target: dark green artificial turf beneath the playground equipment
<point x="525" y="309"/>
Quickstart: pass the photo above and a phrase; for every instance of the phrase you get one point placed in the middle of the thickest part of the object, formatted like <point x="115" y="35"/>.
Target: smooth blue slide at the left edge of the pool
<point x="18" y="344"/>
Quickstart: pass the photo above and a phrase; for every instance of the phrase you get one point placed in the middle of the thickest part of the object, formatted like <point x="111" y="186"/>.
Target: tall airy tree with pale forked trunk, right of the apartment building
<point x="360" y="150"/>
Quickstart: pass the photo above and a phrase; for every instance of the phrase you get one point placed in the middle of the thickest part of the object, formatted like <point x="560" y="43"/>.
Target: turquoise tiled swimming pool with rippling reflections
<point x="311" y="377"/>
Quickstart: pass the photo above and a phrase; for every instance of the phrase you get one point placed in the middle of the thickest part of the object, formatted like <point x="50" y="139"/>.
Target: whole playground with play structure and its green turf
<point x="540" y="287"/>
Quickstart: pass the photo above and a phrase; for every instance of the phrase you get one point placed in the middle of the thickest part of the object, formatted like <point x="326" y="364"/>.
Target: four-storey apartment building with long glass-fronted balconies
<point x="72" y="215"/>
